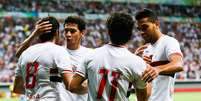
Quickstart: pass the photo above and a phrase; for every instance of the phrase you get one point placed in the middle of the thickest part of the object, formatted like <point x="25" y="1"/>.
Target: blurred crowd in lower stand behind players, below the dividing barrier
<point x="14" y="31"/>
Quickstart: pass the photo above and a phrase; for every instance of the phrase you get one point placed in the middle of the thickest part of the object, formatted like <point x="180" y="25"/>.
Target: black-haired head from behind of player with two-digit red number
<point x="120" y="27"/>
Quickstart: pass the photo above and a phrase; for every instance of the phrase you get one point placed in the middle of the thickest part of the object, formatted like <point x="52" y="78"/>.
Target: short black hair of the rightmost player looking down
<point x="146" y="13"/>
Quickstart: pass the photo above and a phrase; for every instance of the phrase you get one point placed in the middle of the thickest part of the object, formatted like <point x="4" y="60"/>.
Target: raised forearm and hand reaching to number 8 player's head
<point x="39" y="28"/>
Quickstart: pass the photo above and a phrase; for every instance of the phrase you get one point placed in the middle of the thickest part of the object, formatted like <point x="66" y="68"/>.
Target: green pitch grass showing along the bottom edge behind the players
<point x="195" y="96"/>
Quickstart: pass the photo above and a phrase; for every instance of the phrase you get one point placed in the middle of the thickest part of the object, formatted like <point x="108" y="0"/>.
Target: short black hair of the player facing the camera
<point x="76" y="20"/>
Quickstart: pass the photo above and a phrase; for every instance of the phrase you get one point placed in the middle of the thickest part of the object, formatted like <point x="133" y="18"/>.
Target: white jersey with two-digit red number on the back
<point x="109" y="70"/>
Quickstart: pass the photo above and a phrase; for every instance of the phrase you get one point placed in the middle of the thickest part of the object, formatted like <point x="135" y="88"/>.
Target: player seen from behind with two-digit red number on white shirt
<point x="110" y="68"/>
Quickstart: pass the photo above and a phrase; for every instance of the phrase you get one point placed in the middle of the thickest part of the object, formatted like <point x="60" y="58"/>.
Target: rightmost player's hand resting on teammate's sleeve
<point x="150" y="73"/>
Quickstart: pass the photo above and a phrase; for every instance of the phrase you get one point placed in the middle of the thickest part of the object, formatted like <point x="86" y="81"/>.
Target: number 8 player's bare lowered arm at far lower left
<point x="19" y="85"/>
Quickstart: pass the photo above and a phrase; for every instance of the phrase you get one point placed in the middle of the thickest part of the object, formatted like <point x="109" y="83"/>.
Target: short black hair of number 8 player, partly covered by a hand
<point x="55" y="27"/>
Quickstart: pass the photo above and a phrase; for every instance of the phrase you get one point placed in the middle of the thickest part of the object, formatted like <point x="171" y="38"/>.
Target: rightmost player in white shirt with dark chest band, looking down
<point x="162" y="52"/>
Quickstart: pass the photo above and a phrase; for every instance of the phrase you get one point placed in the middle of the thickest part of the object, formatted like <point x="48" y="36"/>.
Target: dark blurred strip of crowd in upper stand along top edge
<point x="96" y="7"/>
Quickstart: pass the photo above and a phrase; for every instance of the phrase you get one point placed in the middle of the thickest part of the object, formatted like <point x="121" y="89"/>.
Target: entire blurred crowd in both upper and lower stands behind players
<point x="14" y="30"/>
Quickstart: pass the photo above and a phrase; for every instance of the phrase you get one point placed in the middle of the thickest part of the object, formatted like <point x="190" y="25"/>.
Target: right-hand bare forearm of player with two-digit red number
<point x="143" y="94"/>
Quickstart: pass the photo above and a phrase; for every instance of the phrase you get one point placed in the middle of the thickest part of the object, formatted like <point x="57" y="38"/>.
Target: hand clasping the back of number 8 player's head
<point x="43" y="27"/>
